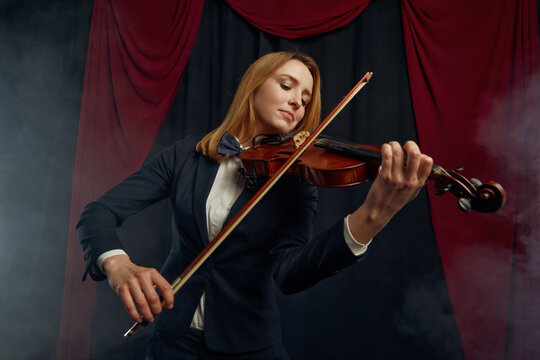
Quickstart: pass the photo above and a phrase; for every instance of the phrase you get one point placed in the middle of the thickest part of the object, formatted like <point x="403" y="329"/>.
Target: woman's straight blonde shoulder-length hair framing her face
<point x="241" y="114"/>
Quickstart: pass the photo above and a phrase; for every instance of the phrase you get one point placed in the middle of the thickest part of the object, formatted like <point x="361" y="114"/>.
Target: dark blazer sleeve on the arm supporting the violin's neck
<point x="301" y="261"/>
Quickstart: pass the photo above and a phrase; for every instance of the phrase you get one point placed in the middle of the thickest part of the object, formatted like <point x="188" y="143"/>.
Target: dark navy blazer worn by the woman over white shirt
<point x="273" y="245"/>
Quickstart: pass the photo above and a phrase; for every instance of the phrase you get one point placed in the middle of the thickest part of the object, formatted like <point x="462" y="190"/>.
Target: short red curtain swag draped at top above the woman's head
<point x="298" y="18"/>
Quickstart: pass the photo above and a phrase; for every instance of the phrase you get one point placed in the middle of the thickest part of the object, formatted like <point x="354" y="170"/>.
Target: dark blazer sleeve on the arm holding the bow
<point x="96" y="228"/>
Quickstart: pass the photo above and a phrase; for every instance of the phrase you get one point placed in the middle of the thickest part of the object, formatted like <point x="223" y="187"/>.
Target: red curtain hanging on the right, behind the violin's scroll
<point x="470" y="68"/>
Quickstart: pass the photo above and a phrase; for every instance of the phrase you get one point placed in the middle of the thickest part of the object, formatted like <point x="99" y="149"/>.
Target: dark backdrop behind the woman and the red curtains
<point x="392" y="305"/>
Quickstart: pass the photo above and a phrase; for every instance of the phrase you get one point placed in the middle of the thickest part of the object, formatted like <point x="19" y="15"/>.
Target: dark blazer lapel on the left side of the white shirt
<point x="206" y="173"/>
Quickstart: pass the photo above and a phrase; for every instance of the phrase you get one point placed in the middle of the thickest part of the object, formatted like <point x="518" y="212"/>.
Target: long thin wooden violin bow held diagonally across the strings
<point x="237" y="219"/>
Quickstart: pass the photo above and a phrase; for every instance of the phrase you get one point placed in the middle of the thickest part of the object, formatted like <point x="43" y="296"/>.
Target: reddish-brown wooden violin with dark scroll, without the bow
<point x="330" y="162"/>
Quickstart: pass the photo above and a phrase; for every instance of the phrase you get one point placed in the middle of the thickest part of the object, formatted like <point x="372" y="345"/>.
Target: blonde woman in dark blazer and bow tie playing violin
<point x="228" y="309"/>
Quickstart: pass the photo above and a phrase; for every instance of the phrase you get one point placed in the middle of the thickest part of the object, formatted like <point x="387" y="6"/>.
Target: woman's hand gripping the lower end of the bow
<point x="136" y="286"/>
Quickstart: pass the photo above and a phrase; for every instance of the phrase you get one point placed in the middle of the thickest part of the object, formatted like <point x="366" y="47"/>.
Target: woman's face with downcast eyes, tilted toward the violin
<point x="280" y="102"/>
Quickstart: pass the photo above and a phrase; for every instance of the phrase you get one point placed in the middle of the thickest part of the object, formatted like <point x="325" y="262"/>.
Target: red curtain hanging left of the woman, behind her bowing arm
<point x="136" y="54"/>
